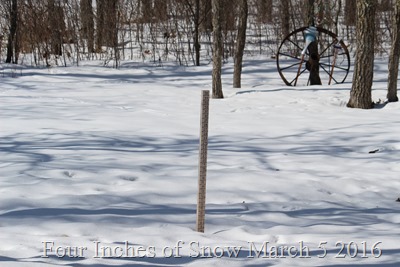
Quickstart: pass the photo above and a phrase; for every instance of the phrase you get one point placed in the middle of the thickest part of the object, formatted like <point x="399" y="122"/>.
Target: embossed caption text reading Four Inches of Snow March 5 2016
<point x="194" y="249"/>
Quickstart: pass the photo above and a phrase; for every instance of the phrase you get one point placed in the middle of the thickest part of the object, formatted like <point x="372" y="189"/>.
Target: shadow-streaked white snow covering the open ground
<point x="99" y="168"/>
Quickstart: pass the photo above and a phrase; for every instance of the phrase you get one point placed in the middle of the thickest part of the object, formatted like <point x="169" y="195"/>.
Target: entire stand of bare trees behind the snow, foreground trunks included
<point x="191" y="31"/>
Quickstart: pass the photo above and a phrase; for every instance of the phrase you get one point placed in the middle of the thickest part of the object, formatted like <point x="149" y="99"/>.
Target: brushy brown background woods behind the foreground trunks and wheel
<point x="64" y="31"/>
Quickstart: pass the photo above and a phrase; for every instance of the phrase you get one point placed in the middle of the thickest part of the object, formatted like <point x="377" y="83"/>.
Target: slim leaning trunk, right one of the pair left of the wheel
<point x="240" y="43"/>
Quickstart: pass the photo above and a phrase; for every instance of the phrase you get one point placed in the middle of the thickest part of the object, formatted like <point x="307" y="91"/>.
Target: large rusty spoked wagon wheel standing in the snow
<point x="334" y="58"/>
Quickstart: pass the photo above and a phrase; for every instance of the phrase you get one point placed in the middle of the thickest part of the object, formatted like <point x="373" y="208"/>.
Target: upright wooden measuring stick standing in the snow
<point x="201" y="195"/>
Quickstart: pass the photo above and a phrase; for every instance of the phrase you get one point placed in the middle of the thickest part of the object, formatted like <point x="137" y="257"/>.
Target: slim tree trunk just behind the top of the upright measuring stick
<point x="217" y="50"/>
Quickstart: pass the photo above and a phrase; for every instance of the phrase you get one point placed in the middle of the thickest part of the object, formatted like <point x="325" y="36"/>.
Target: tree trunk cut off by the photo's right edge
<point x="394" y="57"/>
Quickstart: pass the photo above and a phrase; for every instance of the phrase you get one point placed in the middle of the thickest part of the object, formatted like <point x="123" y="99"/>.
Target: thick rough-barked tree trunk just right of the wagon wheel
<point x="360" y="95"/>
